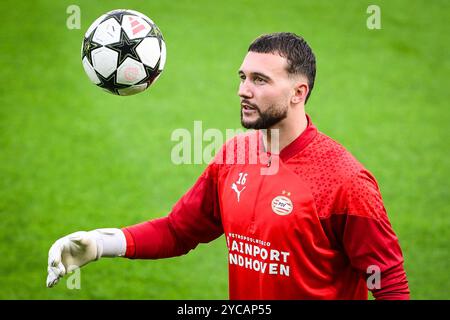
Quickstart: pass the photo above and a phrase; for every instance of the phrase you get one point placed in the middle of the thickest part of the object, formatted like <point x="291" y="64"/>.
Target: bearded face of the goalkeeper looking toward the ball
<point x="265" y="90"/>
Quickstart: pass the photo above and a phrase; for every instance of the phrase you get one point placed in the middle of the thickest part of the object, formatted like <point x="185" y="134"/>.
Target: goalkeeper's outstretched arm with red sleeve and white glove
<point x="194" y="219"/>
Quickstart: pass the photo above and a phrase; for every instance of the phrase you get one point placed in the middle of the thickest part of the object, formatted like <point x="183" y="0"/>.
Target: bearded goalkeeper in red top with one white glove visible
<point x="307" y="222"/>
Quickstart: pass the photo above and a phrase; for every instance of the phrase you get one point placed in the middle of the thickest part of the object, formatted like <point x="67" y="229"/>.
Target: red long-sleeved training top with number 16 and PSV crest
<point x="308" y="223"/>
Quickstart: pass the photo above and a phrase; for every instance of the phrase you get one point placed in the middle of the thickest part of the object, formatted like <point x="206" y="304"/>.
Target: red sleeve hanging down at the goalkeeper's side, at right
<point x="369" y="240"/>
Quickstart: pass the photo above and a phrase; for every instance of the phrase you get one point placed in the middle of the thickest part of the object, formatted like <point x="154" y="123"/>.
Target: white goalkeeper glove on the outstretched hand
<point x="79" y="248"/>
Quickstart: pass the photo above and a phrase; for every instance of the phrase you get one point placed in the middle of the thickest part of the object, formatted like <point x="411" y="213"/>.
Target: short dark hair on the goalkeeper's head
<point x="300" y="58"/>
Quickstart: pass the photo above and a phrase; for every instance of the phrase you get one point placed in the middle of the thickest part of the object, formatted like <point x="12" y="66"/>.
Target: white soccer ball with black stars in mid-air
<point x="123" y="52"/>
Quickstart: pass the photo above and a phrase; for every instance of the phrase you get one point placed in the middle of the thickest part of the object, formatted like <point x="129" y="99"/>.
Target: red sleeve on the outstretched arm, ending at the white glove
<point x="194" y="219"/>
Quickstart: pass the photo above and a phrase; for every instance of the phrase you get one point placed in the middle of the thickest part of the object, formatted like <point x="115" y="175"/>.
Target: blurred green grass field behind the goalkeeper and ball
<point x="73" y="157"/>
